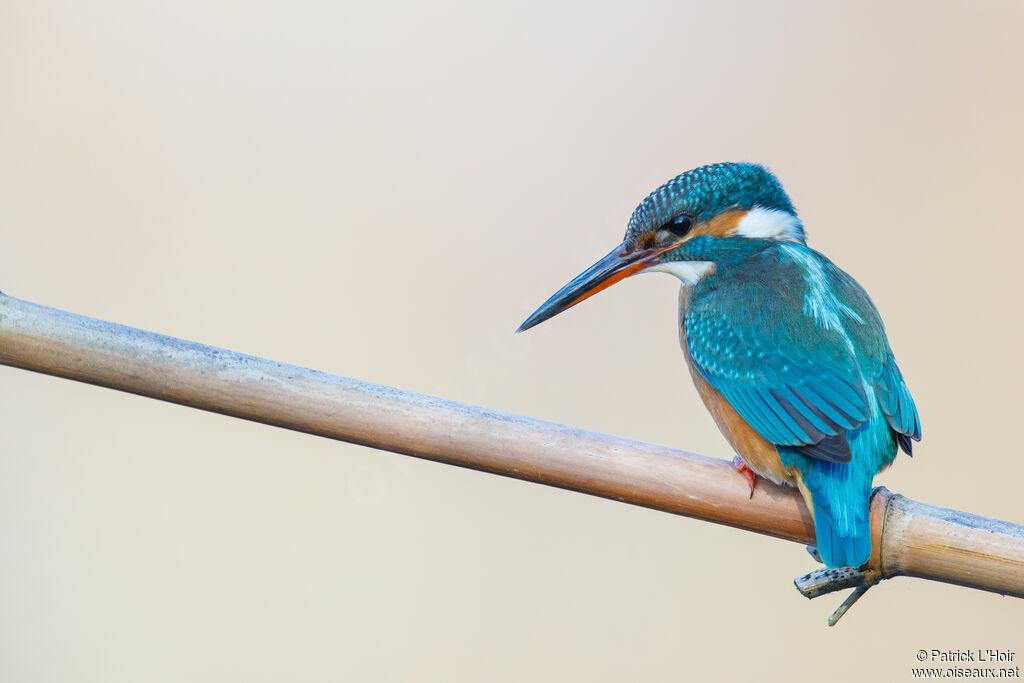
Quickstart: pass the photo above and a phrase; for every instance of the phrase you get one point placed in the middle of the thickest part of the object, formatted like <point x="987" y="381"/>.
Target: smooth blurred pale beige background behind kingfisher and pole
<point x="386" y="192"/>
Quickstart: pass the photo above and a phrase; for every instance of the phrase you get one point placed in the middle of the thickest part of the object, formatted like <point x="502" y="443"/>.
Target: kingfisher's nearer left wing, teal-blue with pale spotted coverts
<point x="794" y="378"/>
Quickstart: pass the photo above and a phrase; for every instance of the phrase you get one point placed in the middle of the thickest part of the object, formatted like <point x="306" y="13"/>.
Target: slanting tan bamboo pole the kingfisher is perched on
<point x="910" y="539"/>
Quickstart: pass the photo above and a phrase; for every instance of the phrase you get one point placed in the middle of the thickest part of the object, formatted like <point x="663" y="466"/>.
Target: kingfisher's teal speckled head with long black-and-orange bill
<point x="706" y="217"/>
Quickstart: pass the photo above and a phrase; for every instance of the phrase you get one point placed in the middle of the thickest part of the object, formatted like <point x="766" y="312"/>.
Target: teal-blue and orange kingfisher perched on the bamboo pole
<point x="787" y="351"/>
